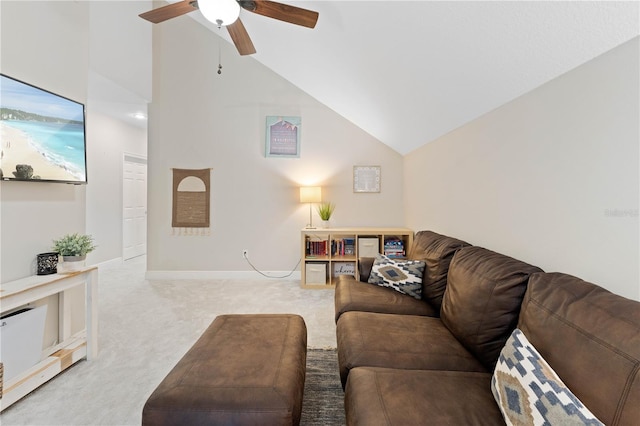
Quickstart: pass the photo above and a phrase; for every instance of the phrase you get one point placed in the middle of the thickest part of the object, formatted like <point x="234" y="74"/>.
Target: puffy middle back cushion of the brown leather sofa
<point x="482" y="301"/>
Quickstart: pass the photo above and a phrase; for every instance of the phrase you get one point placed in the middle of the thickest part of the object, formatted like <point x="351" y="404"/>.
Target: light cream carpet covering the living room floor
<point x="145" y="327"/>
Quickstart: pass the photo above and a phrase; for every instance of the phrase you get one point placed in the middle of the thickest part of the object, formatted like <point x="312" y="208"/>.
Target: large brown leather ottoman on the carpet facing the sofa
<point x="244" y="370"/>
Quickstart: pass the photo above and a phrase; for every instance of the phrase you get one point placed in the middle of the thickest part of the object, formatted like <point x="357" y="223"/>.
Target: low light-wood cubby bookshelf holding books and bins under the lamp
<point x="328" y="253"/>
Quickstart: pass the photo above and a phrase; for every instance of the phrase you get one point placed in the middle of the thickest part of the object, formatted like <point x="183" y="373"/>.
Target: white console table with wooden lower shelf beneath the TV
<point x="70" y="347"/>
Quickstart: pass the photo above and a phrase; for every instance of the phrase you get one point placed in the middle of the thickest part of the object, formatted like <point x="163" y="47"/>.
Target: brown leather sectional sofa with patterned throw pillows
<point x="401" y="363"/>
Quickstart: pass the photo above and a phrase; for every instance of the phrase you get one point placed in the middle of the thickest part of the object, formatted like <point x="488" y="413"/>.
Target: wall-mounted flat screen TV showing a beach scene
<point x="42" y="135"/>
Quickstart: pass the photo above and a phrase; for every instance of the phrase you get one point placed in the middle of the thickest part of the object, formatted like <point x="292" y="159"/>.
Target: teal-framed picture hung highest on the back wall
<point x="283" y="136"/>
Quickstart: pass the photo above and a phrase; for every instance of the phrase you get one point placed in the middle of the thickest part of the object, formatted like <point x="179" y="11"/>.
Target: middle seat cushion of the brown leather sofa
<point x="409" y="342"/>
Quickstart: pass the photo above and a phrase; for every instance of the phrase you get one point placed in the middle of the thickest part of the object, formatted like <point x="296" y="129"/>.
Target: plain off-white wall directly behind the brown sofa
<point x="551" y="178"/>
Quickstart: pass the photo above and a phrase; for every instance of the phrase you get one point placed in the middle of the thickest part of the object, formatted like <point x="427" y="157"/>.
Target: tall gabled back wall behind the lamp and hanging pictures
<point x="199" y="119"/>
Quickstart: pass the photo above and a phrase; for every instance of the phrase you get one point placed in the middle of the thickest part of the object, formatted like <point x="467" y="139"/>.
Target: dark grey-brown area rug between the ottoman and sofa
<point x="323" y="401"/>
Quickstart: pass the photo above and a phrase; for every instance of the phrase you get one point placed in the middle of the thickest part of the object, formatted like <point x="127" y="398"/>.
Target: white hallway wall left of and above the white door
<point x="110" y="140"/>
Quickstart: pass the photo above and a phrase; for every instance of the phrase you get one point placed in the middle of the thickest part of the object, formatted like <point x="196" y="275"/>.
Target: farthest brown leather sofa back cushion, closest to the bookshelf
<point x="436" y="251"/>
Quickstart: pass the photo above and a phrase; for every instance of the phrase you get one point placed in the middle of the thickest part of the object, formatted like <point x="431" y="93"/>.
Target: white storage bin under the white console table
<point x="21" y="335"/>
